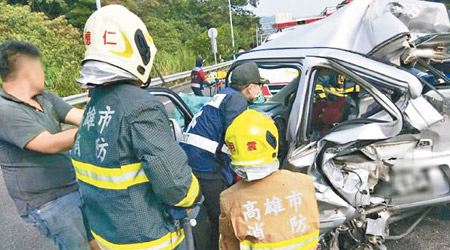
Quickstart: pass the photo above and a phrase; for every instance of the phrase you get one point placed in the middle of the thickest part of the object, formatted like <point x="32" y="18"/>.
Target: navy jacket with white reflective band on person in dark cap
<point x="203" y="140"/>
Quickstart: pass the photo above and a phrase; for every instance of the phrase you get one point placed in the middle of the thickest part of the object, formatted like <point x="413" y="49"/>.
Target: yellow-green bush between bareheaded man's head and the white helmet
<point x="60" y="43"/>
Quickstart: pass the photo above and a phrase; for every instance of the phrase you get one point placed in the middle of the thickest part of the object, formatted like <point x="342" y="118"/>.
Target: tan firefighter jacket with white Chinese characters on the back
<point x="278" y="212"/>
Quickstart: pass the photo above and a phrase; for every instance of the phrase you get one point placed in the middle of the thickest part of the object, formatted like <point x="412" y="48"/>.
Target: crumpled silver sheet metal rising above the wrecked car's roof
<point x="366" y="25"/>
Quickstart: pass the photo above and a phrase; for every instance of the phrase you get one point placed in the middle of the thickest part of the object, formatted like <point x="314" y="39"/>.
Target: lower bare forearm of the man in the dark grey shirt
<point x="52" y="143"/>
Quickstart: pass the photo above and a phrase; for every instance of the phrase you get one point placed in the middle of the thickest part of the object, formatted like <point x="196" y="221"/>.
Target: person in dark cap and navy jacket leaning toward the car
<point x="204" y="138"/>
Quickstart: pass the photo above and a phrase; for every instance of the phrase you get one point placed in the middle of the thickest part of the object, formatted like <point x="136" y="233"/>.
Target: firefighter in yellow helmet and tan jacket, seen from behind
<point x="269" y="208"/>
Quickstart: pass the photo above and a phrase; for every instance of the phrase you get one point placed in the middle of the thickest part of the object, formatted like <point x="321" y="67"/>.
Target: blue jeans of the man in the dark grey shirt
<point x="62" y="221"/>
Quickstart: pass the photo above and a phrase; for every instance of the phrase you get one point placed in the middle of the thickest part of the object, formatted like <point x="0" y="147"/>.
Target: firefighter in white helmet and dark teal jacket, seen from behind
<point x="129" y="167"/>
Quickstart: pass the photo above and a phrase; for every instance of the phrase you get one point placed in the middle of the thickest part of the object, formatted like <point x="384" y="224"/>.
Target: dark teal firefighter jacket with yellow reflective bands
<point x="130" y="170"/>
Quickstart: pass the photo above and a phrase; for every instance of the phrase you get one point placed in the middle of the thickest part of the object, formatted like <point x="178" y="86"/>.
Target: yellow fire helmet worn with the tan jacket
<point x="252" y="139"/>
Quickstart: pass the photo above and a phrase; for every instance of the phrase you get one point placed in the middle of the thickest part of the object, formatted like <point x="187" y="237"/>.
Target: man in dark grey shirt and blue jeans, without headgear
<point x="34" y="154"/>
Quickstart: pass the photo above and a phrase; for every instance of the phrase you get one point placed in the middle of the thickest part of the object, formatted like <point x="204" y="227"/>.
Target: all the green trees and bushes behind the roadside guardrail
<point x="179" y="28"/>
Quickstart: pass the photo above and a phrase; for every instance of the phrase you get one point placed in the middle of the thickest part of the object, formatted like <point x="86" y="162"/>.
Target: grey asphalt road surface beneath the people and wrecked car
<point x="433" y="233"/>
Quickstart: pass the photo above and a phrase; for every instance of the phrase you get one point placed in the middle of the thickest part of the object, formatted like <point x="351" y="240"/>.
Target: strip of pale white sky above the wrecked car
<point x="298" y="8"/>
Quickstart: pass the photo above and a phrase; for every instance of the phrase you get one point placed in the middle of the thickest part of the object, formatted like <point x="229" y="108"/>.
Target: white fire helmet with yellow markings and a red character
<point x="116" y="36"/>
